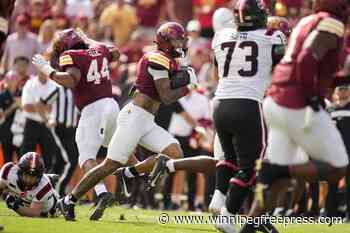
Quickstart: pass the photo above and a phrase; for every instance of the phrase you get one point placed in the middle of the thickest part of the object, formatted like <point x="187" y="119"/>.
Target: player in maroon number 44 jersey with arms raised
<point x="82" y="64"/>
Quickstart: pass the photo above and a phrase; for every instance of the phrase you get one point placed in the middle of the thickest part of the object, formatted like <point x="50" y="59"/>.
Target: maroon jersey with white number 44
<point x="93" y="64"/>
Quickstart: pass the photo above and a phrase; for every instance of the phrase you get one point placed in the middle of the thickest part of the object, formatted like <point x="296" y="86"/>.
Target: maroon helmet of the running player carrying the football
<point x="171" y="38"/>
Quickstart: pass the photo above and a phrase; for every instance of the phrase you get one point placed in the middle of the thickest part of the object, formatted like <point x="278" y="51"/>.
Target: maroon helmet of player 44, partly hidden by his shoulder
<point x="65" y="40"/>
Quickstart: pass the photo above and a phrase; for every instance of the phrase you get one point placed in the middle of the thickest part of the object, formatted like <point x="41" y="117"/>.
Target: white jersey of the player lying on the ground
<point x="43" y="193"/>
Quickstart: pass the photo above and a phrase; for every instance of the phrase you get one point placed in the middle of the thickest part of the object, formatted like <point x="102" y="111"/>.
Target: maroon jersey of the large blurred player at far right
<point x="286" y="90"/>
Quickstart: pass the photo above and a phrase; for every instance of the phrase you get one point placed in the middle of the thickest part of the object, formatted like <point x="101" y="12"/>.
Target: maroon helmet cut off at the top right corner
<point x="338" y="8"/>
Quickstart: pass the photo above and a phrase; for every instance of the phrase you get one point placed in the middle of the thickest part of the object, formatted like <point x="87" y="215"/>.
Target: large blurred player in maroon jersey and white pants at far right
<point x="295" y="104"/>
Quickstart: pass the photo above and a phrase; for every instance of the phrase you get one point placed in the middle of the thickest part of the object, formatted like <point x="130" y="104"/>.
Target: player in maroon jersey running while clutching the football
<point x="160" y="79"/>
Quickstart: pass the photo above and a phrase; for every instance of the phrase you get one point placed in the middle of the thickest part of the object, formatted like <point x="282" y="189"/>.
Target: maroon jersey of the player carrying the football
<point x="153" y="66"/>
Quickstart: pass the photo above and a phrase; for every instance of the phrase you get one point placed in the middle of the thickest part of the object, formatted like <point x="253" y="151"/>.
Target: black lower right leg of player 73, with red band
<point x="240" y="185"/>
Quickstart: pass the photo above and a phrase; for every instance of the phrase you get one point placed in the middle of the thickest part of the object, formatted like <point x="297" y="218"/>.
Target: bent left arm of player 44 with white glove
<point x="68" y="79"/>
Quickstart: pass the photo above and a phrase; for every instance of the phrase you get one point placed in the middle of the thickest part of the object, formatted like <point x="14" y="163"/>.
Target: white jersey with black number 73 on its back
<point x="244" y="61"/>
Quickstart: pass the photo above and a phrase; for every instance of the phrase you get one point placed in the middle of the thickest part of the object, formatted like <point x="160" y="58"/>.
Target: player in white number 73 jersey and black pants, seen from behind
<point x="244" y="60"/>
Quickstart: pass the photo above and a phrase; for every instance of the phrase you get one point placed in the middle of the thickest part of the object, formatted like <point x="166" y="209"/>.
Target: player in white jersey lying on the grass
<point x="26" y="189"/>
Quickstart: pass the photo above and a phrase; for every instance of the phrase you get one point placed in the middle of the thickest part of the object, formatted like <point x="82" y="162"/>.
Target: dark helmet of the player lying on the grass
<point x="30" y="165"/>
